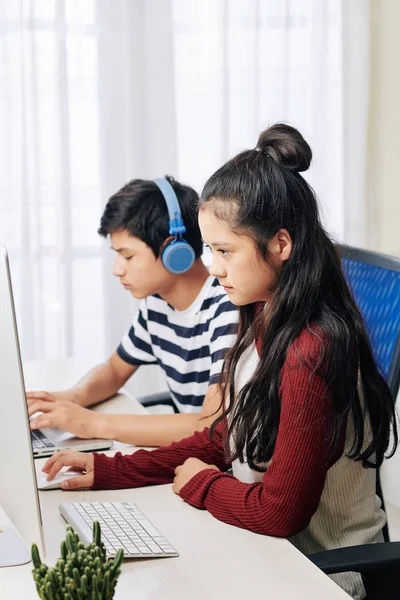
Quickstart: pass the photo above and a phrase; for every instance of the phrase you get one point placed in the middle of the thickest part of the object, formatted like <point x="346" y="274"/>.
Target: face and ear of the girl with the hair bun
<point x="237" y="264"/>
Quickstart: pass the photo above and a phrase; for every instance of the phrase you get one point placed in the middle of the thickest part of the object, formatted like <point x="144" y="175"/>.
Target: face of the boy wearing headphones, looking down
<point x="138" y="269"/>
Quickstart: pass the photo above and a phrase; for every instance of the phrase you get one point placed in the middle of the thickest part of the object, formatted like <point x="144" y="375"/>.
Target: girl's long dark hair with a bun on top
<point x="260" y="192"/>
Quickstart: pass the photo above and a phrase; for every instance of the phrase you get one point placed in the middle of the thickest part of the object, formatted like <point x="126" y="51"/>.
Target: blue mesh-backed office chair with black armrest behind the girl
<point x="374" y="280"/>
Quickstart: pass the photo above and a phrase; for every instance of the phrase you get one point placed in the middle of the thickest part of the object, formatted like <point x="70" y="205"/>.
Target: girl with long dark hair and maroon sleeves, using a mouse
<point x="307" y="415"/>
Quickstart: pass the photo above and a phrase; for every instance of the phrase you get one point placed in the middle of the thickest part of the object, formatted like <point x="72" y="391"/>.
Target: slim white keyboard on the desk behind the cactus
<point x="123" y="525"/>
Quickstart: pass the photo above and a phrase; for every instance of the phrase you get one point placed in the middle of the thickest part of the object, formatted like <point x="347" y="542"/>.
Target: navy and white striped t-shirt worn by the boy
<point x="188" y="345"/>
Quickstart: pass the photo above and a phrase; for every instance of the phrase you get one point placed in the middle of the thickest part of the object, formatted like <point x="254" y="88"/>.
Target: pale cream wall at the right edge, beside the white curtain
<point x="384" y="161"/>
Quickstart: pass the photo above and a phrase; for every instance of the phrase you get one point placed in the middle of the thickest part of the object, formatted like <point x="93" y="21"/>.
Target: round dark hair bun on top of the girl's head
<point x="286" y="146"/>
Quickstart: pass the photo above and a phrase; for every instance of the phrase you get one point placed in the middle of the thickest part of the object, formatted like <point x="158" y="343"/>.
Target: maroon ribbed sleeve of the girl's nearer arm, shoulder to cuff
<point x="284" y="502"/>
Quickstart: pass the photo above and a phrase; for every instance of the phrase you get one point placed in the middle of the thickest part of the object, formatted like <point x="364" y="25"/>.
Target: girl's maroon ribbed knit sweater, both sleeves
<point x="288" y="496"/>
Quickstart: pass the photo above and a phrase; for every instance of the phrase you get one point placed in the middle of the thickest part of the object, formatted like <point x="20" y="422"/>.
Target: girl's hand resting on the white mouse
<point x="76" y="460"/>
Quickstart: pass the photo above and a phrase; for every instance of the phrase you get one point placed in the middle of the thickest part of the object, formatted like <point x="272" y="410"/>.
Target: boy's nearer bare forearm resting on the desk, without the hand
<point x="148" y="430"/>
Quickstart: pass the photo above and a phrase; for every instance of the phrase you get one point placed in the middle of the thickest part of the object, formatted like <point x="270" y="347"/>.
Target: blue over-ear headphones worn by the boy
<point x="178" y="256"/>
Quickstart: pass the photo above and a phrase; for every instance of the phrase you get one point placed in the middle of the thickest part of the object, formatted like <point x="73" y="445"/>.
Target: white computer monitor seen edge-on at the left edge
<point x="18" y="489"/>
